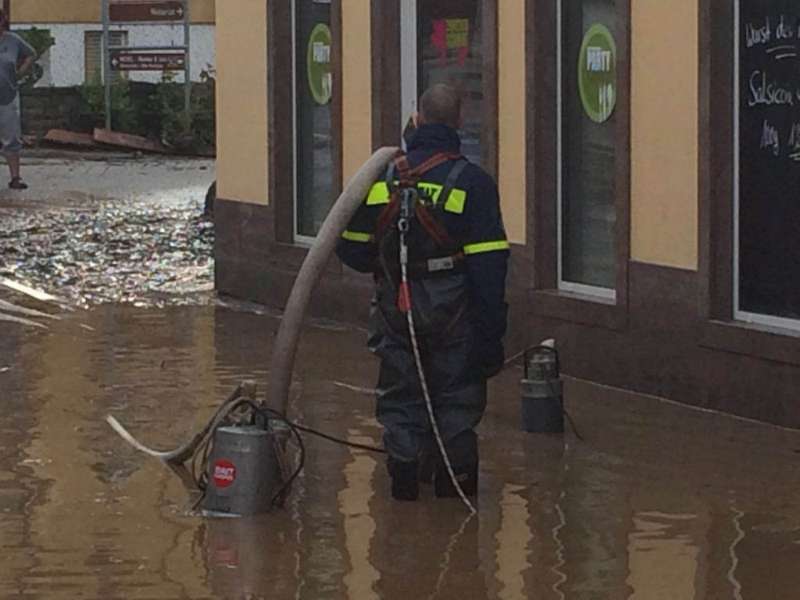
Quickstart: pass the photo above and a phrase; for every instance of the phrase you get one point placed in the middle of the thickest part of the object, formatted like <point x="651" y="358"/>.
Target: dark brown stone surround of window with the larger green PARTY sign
<point x="550" y="296"/>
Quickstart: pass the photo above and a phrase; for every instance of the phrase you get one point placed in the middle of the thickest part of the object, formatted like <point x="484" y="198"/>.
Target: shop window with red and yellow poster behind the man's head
<point x="449" y="34"/>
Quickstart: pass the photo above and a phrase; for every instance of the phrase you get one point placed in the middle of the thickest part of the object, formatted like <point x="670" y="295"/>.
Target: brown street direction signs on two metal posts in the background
<point x="146" y="58"/>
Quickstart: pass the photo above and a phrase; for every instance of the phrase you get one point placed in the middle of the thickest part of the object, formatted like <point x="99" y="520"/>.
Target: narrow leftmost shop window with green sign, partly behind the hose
<point x="313" y="81"/>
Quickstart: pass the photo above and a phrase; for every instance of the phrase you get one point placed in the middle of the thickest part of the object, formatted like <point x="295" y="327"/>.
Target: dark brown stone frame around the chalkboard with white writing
<point x="723" y="325"/>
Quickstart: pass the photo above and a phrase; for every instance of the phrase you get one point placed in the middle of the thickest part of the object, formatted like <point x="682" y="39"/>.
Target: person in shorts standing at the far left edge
<point x="16" y="58"/>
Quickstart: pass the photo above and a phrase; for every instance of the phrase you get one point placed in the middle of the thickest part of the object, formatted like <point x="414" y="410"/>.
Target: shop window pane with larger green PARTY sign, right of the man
<point x="587" y="146"/>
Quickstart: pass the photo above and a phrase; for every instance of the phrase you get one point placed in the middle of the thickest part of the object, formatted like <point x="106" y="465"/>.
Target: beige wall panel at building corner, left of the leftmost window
<point x="242" y="100"/>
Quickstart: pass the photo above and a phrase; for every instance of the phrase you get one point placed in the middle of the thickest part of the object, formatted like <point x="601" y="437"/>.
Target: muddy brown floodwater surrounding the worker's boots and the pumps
<point x="657" y="502"/>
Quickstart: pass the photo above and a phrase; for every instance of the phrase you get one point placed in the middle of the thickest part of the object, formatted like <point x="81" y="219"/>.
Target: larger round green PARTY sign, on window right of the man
<point x="597" y="73"/>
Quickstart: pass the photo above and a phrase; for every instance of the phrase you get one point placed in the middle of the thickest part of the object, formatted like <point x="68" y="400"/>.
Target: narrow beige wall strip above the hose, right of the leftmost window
<point x="356" y="86"/>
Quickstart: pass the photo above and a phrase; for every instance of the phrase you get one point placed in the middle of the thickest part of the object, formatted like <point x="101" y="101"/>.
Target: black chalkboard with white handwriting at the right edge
<point x="769" y="157"/>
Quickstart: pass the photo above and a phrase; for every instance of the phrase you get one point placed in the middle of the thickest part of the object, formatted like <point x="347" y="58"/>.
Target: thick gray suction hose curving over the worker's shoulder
<point x="285" y="345"/>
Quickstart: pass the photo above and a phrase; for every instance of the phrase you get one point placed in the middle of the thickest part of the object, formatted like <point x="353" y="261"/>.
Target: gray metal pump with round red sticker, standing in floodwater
<point x="243" y="472"/>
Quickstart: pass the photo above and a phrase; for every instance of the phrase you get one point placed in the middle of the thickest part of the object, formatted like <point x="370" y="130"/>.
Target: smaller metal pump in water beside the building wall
<point x="542" y="392"/>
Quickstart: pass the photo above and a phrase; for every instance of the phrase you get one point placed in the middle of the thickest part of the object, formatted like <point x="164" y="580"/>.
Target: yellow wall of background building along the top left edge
<point x="88" y="11"/>
